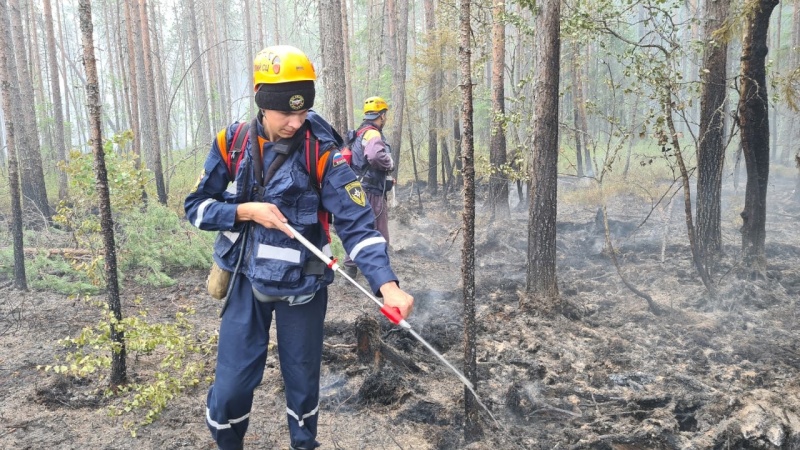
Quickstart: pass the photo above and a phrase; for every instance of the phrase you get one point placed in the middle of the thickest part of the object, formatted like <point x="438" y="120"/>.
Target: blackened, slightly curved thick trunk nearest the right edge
<point x="754" y="126"/>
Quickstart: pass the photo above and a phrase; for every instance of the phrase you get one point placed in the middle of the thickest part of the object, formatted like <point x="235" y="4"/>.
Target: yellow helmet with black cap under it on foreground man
<point x="283" y="78"/>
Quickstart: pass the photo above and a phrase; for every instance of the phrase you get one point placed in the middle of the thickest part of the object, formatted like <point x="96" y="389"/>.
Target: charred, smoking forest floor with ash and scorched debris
<point x="607" y="373"/>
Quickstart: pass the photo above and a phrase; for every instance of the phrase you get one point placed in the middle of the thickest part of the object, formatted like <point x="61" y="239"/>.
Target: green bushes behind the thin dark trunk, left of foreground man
<point x="150" y="241"/>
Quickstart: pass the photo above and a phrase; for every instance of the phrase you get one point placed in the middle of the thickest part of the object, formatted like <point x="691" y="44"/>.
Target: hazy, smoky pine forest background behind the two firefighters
<point x="109" y="108"/>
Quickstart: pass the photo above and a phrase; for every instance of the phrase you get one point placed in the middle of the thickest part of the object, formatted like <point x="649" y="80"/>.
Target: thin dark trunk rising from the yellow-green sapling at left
<point x="118" y="370"/>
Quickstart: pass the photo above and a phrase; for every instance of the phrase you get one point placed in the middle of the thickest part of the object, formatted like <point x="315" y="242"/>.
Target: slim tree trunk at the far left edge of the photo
<point x="9" y="86"/>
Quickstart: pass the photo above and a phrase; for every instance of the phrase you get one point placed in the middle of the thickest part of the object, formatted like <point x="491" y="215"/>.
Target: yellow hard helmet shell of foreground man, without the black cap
<point x="282" y="64"/>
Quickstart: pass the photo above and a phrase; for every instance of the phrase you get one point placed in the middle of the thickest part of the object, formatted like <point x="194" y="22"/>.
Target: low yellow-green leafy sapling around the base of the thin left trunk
<point x="176" y="351"/>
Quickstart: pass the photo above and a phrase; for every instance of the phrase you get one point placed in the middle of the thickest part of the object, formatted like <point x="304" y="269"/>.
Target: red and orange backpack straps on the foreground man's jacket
<point x="315" y="157"/>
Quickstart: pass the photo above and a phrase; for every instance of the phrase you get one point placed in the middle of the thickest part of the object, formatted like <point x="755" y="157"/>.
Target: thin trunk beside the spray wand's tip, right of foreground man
<point x="472" y="427"/>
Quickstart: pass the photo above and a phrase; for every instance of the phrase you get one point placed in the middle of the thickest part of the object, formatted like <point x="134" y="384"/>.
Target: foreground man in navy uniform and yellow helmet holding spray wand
<point x="277" y="275"/>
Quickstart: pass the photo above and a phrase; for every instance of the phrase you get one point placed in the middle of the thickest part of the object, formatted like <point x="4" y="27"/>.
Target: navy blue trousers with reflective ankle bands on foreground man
<point x="242" y="355"/>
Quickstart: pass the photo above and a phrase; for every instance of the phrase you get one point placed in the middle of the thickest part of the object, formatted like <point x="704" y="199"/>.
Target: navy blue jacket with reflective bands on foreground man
<point x="274" y="263"/>
